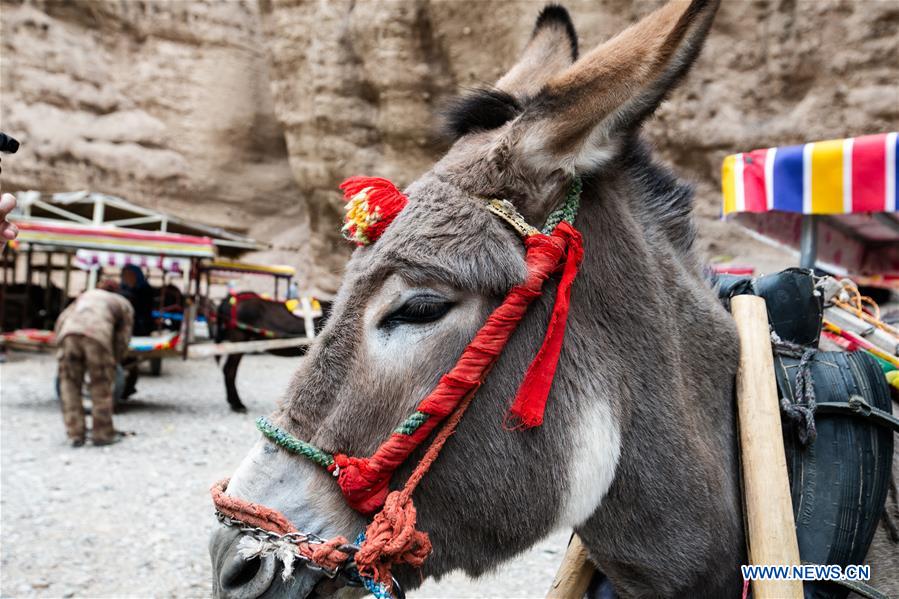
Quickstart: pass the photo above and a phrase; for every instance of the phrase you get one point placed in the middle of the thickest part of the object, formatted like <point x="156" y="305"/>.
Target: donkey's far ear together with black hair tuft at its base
<point x="551" y="49"/>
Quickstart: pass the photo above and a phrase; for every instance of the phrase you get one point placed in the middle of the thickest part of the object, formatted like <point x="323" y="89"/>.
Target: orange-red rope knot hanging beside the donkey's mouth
<point x="391" y="539"/>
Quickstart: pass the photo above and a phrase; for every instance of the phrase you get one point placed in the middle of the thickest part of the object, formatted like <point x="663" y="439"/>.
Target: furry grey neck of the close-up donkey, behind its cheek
<point x="669" y="353"/>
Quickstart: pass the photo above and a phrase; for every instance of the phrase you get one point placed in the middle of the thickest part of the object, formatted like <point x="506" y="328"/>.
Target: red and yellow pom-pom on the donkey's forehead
<point x="372" y="204"/>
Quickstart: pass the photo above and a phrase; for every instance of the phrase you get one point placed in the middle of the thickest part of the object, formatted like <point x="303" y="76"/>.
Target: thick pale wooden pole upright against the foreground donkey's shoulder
<point x="770" y="528"/>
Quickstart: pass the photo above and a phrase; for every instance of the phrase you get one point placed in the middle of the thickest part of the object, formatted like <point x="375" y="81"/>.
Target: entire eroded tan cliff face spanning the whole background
<point x="188" y="106"/>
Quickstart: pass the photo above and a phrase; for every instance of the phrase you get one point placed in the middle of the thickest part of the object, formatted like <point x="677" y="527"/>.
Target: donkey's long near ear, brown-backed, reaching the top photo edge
<point x="576" y="120"/>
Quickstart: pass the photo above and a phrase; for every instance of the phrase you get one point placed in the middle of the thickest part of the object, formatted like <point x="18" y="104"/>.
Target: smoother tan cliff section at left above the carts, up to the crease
<point x="167" y="104"/>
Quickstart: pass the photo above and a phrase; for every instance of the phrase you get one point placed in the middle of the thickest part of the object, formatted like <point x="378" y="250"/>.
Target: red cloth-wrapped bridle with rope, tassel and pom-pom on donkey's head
<point x="391" y="537"/>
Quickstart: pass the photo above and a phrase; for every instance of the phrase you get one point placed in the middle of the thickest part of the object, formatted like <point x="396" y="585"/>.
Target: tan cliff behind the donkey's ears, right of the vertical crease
<point x="356" y="85"/>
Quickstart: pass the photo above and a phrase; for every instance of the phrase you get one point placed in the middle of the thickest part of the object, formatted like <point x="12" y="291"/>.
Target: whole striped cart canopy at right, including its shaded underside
<point x="849" y="184"/>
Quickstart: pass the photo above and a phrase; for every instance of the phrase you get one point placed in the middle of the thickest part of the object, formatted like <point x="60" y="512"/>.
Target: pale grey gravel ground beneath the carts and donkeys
<point x="132" y="520"/>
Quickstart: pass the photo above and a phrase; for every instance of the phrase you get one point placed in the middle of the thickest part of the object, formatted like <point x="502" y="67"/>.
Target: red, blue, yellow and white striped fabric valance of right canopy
<point x="842" y="176"/>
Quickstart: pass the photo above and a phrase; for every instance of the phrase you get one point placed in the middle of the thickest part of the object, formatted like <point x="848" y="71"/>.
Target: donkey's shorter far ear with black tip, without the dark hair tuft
<point x="551" y="49"/>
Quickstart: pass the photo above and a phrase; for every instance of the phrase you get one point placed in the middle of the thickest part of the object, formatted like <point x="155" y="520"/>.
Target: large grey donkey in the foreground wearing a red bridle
<point x="637" y="452"/>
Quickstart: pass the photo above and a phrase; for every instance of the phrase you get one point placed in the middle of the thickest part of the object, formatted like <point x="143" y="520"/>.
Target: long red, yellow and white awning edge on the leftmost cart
<point x="112" y="239"/>
